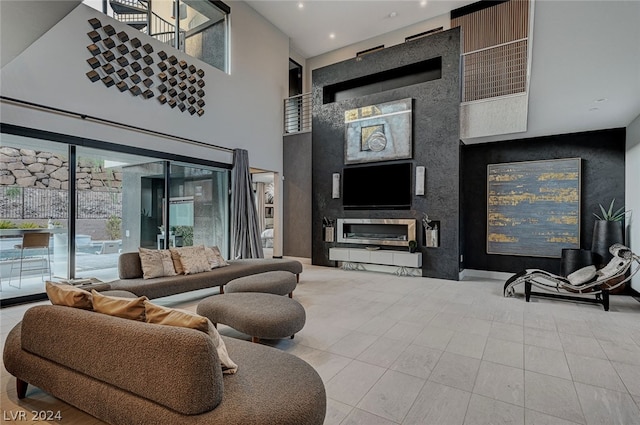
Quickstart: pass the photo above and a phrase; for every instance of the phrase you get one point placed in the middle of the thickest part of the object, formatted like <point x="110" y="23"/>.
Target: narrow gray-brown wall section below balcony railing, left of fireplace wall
<point x="296" y="231"/>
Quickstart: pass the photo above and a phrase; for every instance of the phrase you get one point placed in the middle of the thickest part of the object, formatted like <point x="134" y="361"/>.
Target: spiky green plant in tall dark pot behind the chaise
<point x="607" y="230"/>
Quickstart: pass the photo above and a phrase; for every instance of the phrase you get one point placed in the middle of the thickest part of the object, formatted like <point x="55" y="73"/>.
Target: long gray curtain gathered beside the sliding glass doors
<point x="245" y="233"/>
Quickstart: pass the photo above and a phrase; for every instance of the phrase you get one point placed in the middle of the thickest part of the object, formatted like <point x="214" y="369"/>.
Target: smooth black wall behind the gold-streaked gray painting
<point x="603" y="163"/>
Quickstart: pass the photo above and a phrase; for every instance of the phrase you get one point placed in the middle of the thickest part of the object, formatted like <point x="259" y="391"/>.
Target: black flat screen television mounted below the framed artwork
<point x="383" y="187"/>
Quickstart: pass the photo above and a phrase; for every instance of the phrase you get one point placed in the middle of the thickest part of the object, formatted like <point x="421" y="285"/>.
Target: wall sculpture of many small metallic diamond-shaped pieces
<point x="117" y="60"/>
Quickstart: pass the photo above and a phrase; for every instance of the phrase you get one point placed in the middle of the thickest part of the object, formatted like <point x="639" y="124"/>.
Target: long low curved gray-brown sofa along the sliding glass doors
<point x="130" y="272"/>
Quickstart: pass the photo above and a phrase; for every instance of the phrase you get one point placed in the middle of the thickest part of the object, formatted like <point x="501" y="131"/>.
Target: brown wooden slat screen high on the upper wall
<point x="494" y="62"/>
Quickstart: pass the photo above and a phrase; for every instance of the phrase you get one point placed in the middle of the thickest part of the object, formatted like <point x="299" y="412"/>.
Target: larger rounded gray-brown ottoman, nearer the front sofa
<point x="259" y="315"/>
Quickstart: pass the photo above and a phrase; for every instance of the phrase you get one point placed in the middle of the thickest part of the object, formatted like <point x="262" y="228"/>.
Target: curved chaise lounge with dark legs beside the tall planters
<point x="582" y="284"/>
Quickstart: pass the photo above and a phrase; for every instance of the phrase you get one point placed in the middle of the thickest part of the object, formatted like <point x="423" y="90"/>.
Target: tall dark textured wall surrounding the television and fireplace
<point x="436" y="144"/>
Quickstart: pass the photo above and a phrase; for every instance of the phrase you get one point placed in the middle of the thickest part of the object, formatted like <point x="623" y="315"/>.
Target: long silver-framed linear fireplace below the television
<point x="392" y="231"/>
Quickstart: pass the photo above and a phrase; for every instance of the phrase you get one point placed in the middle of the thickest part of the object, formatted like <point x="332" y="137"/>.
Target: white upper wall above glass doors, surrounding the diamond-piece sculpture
<point x="243" y="109"/>
